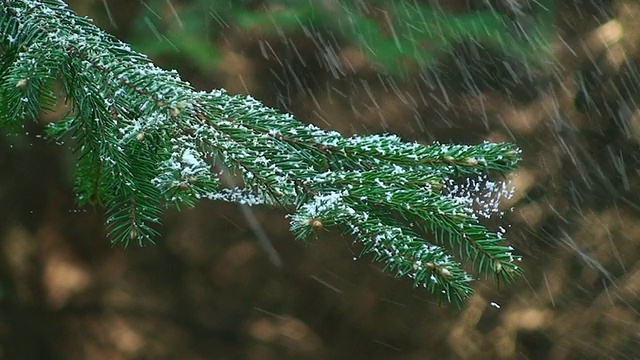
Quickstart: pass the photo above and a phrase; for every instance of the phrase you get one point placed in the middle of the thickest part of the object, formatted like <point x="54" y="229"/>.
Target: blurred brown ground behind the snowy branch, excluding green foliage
<point x="208" y="291"/>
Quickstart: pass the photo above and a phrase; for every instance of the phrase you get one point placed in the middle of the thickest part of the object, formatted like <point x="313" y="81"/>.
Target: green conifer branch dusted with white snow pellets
<point x="146" y="140"/>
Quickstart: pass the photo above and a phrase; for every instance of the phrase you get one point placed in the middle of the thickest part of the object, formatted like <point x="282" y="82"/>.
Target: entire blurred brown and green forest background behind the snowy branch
<point x="560" y="78"/>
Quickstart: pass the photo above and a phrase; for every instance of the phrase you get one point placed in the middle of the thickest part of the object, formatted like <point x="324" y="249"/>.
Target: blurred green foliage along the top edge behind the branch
<point x="398" y="36"/>
